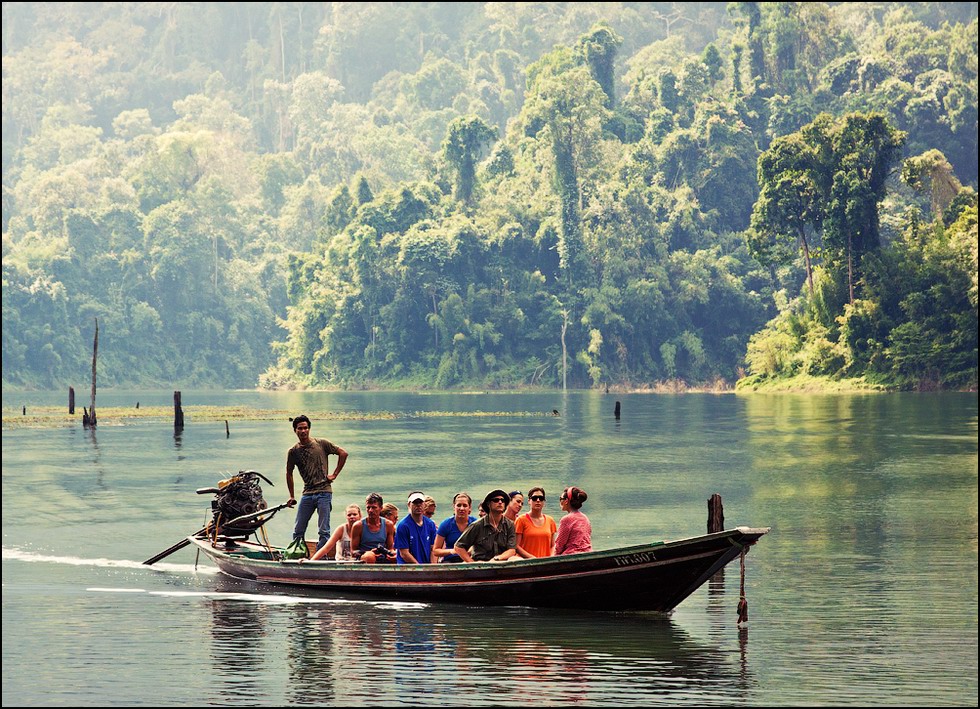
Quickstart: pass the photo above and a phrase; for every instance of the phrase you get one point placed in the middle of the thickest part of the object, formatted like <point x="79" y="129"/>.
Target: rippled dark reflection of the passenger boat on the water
<point x="350" y="650"/>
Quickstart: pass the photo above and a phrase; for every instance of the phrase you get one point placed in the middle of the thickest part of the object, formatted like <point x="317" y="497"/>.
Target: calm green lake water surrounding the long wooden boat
<point x="864" y="593"/>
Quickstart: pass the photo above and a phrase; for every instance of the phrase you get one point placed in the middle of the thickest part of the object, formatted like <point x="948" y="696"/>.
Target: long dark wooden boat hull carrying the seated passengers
<point x="646" y="577"/>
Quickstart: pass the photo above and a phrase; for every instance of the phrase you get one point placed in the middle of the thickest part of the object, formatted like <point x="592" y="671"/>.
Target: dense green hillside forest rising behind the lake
<point x="491" y="195"/>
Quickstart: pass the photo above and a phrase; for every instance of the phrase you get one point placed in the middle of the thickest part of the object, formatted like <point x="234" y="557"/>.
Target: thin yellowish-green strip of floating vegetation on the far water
<point x="57" y="417"/>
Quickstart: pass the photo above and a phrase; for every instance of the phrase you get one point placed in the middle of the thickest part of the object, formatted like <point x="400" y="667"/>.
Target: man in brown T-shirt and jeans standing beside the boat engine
<point x="310" y="455"/>
